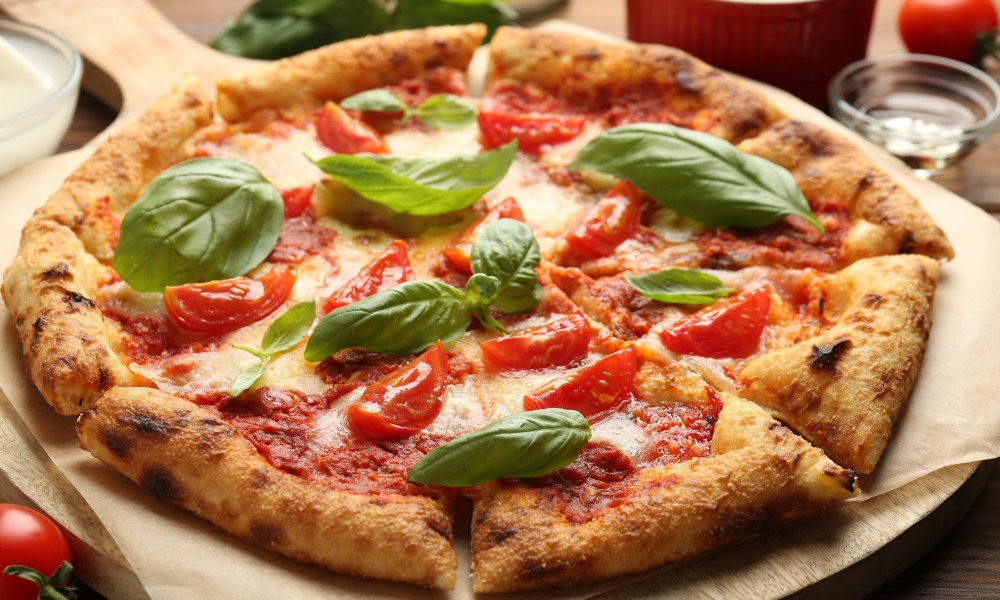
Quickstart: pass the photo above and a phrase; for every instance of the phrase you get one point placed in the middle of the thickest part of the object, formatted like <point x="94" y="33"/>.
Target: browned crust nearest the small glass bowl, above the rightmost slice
<point x="887" y="219"/>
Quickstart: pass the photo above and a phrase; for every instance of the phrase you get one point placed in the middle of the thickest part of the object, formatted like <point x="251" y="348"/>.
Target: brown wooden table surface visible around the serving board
<point x="966" y="563"/>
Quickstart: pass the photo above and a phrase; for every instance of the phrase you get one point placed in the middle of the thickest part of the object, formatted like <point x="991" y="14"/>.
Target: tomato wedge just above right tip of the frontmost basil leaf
<point x="595" y="389"/>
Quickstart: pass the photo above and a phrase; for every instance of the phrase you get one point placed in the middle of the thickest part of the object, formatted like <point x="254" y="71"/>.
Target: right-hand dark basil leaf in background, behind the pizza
<point x="412" y="14"/>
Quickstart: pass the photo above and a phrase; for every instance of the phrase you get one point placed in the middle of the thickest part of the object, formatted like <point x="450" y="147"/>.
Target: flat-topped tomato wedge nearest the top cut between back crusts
<point x="531" y="131"/>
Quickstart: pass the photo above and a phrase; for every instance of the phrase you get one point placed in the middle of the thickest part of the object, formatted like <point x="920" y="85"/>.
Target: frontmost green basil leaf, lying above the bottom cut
<point x="526" y="444"/>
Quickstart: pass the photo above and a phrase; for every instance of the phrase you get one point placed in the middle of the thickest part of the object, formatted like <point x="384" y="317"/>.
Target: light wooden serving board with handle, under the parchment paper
<point x="133" y="55"/>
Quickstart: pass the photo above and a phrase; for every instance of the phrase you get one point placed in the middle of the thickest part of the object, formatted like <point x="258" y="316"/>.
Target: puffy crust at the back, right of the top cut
<point x="588" y="72"/>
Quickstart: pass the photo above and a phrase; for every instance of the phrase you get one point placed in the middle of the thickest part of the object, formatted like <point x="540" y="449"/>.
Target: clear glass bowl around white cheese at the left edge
<point x="37" y="130"/>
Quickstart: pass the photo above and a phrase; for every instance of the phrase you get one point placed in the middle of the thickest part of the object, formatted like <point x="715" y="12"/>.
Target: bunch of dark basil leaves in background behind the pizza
<point x="271" y="29"/>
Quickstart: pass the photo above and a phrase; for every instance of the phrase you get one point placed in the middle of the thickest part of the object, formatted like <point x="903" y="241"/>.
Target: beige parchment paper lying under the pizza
<point x="952" y="417"/>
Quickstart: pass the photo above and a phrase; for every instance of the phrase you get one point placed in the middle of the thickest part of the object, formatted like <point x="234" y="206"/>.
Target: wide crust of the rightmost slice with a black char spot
<point x="844" y="389"/>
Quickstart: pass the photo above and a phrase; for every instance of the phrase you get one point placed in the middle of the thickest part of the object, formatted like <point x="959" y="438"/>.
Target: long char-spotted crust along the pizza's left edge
<point x="50" y="287"/>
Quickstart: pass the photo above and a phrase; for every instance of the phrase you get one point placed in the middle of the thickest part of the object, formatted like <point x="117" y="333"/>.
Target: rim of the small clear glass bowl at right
<point x="837" y="102"/>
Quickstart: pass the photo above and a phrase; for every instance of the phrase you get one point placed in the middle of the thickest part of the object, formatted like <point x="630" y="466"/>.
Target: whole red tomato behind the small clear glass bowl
<point x="948" y="28"/>
